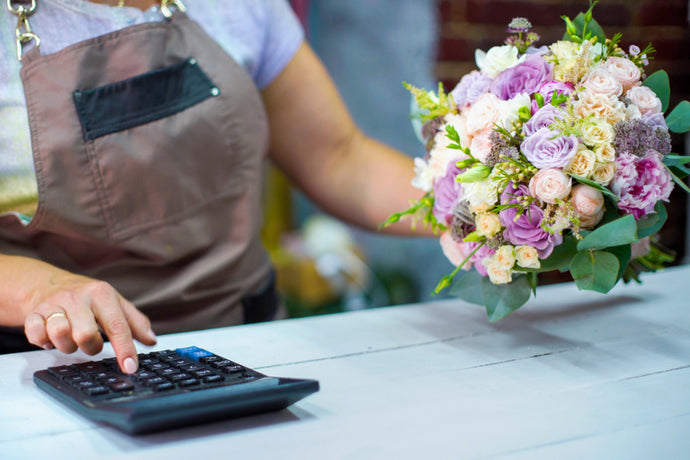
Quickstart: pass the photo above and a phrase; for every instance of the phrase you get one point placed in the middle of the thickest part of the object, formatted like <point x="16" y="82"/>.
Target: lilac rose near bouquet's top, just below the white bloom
<point x="526" y="77"/>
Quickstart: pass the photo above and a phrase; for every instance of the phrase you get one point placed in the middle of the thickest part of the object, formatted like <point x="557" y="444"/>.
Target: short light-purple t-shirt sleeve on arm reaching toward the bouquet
<point x="283" y="36"/>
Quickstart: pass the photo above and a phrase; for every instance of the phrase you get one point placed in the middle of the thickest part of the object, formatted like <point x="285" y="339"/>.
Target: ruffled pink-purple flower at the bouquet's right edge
<point x="641" y="182"/>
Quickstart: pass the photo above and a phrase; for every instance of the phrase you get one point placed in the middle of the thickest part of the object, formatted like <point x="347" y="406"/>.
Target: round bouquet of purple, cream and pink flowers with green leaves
<point x="548" y="158"/>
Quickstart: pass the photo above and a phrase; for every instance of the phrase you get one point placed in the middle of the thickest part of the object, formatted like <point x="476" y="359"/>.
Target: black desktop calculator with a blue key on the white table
<point x="172" y="388"/>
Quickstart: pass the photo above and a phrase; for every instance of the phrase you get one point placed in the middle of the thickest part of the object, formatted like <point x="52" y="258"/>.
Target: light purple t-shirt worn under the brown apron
<point x="261" y="35"/>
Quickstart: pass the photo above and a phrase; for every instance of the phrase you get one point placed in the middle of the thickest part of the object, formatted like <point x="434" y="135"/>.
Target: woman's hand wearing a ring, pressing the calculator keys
<point x="67" y="311"/>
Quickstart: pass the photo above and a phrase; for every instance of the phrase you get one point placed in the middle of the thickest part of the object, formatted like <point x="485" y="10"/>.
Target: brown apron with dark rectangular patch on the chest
<point x="149" y="146"/>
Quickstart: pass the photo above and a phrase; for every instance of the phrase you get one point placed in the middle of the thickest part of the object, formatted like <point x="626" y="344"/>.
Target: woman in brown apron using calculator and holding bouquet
<point x="140" y="209"/>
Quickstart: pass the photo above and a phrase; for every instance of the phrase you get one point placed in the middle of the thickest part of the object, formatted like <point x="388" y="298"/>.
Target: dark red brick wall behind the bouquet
<point x="466" y="25"/>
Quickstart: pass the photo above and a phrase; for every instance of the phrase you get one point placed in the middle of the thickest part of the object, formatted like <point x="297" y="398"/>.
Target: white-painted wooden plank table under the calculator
<point x="571" y="375"/>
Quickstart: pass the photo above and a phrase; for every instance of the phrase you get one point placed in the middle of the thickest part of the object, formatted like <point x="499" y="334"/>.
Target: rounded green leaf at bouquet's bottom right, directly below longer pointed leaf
<point x="595" y="271"/>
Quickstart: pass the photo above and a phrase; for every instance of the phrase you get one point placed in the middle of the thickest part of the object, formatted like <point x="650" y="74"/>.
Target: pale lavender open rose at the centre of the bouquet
<point x="546" y="149"/>
